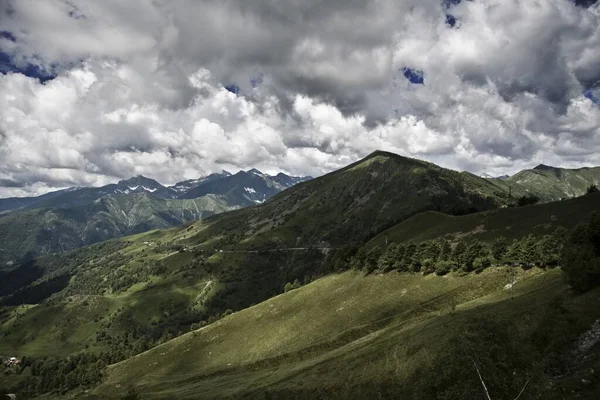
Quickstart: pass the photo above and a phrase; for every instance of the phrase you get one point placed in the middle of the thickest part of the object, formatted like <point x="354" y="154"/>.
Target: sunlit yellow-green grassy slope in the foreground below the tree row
<point x="335" y="337"/>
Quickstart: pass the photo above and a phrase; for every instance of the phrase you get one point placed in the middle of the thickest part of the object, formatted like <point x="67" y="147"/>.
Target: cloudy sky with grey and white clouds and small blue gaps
<point x="92" y="92"/>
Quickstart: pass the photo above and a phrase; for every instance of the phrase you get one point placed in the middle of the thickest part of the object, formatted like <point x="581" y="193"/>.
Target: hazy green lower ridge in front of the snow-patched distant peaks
<point x="49" y="230"/>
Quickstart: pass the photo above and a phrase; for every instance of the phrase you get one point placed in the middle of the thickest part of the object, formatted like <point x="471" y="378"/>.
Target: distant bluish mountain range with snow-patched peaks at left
<point x="74" y="217"/>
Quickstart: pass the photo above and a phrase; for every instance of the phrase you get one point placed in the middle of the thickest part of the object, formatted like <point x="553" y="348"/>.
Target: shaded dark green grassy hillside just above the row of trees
<point x="512" y="223"/>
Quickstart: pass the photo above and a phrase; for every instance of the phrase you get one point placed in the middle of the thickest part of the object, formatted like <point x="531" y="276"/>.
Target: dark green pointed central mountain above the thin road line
<point x="355" y="202"/>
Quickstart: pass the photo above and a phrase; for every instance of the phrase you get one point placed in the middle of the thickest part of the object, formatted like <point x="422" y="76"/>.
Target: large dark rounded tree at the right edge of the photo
<point x="581" y="255"/>
